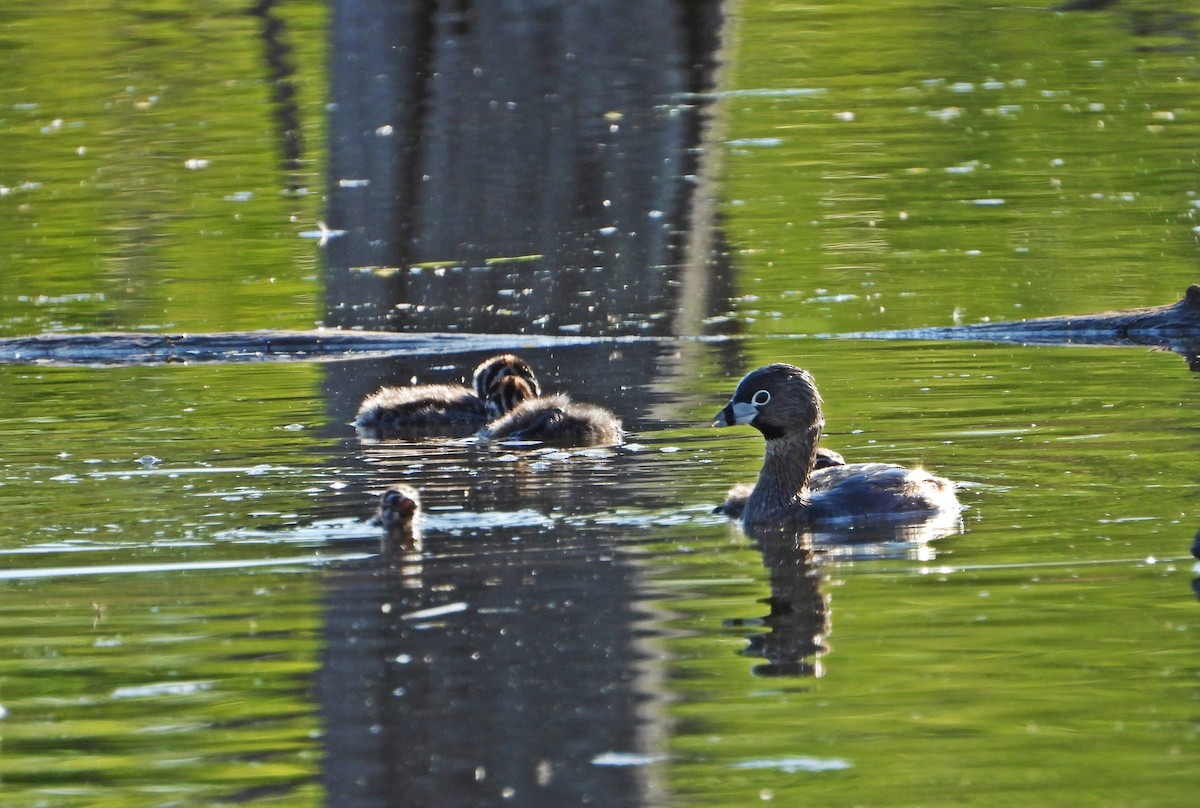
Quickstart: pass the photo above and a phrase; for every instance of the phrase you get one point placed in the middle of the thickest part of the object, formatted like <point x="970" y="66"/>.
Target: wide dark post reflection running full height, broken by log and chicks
<point x="545" y="158"/>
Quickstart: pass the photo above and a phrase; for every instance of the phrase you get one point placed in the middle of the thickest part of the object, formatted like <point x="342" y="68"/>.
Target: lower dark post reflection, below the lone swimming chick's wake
<point x="497" y="681"/>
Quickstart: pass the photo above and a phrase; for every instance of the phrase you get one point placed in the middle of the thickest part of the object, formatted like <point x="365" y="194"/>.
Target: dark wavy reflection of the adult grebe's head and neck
<point x="799" y="621"/>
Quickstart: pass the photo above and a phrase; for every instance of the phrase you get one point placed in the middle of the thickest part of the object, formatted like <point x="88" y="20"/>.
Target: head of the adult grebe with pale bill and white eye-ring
<point x="777" y="400"/>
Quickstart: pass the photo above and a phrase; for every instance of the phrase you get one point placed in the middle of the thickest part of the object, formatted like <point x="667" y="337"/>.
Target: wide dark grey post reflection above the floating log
<point x="547" y="155"/>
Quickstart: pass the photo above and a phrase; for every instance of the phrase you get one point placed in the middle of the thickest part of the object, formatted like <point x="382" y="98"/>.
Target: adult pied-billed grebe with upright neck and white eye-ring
<point x="782" y="402"/>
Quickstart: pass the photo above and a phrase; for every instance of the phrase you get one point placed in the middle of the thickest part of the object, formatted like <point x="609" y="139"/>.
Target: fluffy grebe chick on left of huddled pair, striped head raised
<point x="448" y="410"/>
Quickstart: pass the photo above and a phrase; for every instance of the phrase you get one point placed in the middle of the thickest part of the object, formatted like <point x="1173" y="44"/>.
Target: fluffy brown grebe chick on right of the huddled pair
<point x="555" y="420"/>
